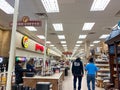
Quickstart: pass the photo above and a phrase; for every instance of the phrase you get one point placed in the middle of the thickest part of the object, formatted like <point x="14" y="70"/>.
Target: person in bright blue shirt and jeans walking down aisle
<point x="91" y="69"/>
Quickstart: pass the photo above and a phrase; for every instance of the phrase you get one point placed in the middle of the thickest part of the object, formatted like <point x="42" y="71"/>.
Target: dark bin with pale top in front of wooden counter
<point x="43" y="86"/>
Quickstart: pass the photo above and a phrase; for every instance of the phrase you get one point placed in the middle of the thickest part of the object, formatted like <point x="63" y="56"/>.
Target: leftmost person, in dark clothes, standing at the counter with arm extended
<point x="19" y="72"/>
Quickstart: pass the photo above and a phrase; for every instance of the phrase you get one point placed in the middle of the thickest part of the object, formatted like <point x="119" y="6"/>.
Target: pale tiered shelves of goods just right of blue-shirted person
<point x="103" y="73"/>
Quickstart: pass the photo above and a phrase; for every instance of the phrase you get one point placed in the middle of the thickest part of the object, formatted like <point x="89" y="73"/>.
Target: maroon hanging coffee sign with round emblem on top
<point x="27" y="22"/>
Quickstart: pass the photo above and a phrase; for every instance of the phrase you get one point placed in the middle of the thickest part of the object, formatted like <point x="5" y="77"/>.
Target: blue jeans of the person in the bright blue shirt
<point x="91" y="77"/>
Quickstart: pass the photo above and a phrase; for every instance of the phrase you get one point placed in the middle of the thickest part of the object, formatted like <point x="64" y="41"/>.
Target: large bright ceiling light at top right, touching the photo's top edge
<point x="99" y="5"/>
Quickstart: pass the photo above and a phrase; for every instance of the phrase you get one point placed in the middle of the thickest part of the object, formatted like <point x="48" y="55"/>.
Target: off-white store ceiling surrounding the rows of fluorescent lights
<point x="73" y="14"/>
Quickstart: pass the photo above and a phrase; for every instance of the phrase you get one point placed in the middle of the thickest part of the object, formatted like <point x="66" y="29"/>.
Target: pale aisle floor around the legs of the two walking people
<point x="68" y="83"/>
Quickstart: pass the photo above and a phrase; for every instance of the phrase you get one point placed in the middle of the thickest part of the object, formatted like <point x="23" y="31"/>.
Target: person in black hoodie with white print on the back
<point x="78" y="72"/>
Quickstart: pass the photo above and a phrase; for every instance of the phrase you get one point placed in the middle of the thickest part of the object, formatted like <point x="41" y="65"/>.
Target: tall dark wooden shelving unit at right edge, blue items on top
<point x="114" y="59"/>
